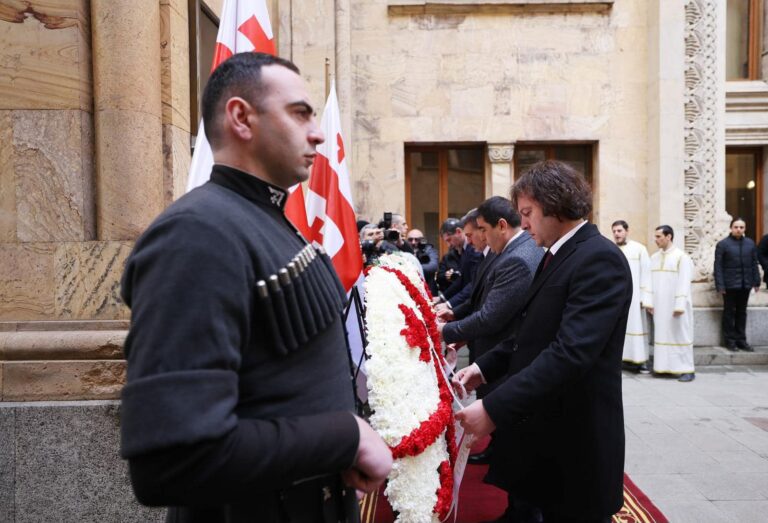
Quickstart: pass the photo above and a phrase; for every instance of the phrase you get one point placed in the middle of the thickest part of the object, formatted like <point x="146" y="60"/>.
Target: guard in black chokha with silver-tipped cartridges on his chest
<point x="238" y="405"/>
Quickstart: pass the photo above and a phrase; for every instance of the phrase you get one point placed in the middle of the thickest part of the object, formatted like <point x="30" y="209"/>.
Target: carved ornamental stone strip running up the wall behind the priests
<point x="706" y="221"/>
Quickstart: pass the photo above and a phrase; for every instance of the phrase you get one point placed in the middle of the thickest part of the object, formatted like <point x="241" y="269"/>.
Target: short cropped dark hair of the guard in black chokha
<point x="239" y="75"/>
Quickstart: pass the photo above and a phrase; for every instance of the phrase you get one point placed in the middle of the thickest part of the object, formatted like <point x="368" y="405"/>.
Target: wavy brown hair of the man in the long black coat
<point x="558" y="188"/>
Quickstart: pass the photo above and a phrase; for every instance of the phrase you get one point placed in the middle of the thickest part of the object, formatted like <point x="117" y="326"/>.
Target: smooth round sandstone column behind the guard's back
<point x="127" y="116"/>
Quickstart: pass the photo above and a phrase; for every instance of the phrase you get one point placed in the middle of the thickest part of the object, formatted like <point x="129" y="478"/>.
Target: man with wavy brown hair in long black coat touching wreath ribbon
<point x="558" y="413"/>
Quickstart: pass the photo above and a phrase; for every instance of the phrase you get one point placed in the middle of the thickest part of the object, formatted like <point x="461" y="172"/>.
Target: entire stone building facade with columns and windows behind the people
<point x="97" y="117"/>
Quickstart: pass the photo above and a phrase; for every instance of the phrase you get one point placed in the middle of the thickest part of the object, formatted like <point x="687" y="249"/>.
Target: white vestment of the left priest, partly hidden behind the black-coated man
<point x="636" y="339"/>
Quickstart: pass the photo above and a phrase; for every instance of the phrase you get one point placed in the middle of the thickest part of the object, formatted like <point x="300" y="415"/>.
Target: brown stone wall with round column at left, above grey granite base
<point x="94" y="142"/>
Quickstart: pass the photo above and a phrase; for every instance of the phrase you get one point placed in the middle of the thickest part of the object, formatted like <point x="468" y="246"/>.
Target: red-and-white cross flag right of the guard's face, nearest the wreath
<point x="330" y="213"/>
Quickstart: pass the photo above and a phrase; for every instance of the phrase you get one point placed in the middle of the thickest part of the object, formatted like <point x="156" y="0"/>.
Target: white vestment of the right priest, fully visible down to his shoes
<point x="672" y="271"/>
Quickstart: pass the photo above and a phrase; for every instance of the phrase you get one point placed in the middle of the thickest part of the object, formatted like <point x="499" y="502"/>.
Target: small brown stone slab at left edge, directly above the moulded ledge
<point x="26" y="281"/>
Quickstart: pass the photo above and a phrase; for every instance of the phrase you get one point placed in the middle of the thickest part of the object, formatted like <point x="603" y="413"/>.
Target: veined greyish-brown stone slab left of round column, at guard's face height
<point x="53" y="173"/>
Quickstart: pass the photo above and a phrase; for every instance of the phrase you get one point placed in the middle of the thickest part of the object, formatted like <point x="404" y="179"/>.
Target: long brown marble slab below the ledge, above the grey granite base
<point x="62" y="380"/>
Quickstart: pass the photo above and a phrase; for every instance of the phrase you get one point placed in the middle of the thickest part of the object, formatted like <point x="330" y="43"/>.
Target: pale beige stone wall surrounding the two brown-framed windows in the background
<point x="508" y="76"/>
